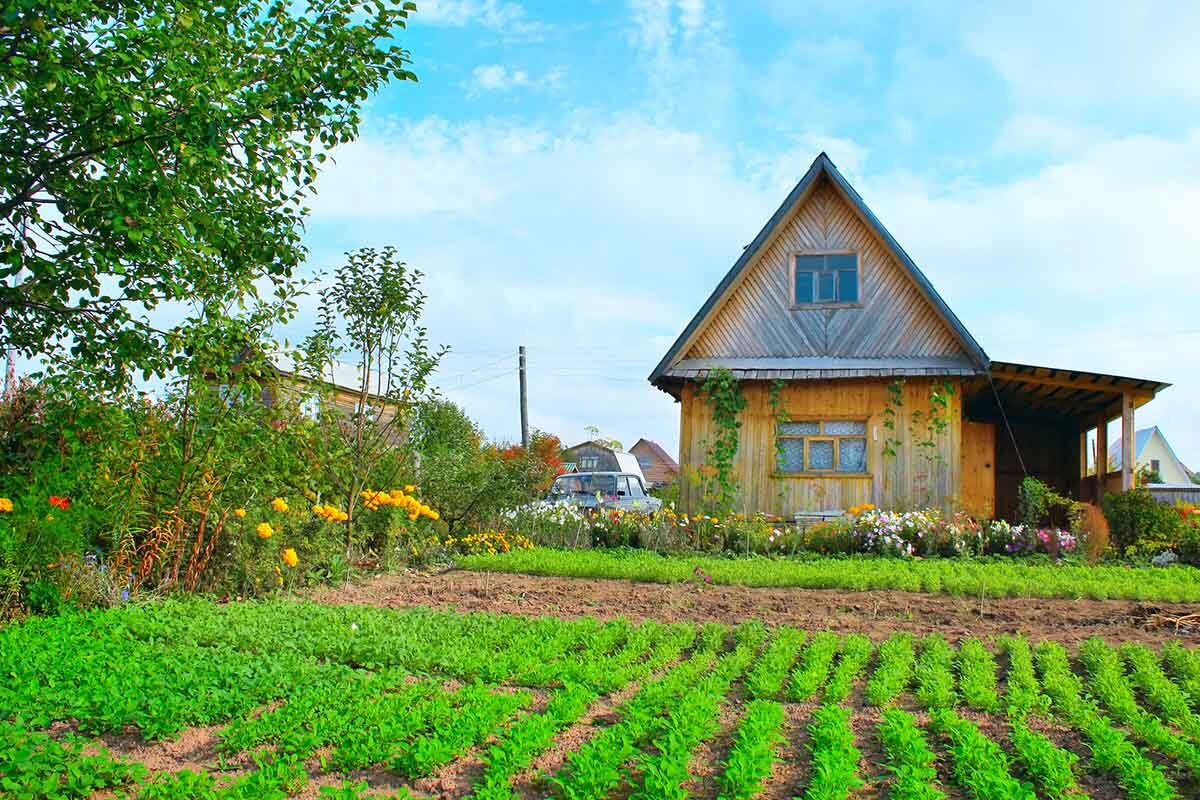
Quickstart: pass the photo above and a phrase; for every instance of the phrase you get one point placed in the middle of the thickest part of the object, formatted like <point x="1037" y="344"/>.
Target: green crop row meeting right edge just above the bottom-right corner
<point x="1108" y="683"/>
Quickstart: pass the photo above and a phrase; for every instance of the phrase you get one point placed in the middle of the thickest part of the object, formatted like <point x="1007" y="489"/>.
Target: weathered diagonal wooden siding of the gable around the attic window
<point x="896" y="320"/>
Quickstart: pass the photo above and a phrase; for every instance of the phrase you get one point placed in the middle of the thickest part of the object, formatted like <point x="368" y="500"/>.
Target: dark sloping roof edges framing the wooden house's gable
<point x="823" y="167"/>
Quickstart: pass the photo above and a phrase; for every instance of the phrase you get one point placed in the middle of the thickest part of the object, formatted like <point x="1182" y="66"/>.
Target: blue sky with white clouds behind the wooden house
<point x="578" y="177"/>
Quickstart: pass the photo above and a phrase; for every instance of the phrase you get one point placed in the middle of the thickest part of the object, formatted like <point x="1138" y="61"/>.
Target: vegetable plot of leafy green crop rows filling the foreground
<point x="290" y="699"/>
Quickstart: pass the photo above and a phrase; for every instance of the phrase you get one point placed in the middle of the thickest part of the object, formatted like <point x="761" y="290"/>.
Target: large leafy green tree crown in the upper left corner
<point x="154" y="152"/>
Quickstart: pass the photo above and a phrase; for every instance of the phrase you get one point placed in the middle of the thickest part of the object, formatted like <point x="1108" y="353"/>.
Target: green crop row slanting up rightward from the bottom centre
<point x="595" y="769"/>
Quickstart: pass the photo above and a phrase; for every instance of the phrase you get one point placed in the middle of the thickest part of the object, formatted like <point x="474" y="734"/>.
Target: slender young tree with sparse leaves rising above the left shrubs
<point x="370" y="320"/>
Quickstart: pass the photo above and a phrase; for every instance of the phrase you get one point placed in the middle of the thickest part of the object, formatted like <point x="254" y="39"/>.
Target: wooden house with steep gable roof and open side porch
<point x="826" y="306"/>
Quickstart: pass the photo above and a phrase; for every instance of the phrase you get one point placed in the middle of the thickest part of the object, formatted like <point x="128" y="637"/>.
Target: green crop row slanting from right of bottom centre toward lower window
<point x="693" y="720"/>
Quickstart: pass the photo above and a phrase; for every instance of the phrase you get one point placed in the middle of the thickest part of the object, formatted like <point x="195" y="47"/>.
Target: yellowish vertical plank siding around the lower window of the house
<point x="907" y="482"/>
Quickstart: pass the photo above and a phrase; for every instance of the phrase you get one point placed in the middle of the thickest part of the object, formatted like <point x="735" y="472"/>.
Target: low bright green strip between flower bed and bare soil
<point x="992" y="578"/>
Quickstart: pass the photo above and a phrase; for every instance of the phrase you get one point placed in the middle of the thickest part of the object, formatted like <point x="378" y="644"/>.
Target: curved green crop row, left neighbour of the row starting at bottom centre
<point x="532" y="735"/>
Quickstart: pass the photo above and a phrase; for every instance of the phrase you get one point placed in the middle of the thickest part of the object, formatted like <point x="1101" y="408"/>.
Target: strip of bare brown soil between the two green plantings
<point x="874" y="613"/>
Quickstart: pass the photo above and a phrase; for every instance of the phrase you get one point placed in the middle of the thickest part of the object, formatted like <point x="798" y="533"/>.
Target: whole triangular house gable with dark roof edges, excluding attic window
<point x="751" y="320"/>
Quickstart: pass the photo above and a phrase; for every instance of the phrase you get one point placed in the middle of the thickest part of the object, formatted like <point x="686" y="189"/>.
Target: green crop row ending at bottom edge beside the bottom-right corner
<point x="1112" y="750"/>
